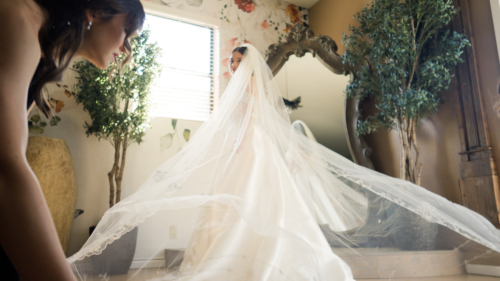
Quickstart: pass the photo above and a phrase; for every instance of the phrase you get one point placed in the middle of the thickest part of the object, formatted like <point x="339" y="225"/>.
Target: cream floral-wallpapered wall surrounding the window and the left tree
<point x="261" y="22"/>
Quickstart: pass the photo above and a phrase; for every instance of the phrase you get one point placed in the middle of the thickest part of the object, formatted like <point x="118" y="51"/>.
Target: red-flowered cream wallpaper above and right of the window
<point x="259" y="22"/>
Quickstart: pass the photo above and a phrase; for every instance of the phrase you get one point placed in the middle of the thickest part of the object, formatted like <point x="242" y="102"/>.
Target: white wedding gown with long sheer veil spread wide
<point x="251" y="198"/>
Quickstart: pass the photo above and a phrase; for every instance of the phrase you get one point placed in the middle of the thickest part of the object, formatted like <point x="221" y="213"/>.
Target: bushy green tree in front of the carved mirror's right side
<point x="404" y="55"/>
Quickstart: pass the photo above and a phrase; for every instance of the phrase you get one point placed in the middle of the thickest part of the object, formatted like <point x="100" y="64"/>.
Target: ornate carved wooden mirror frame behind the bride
<point x="301" y="40"/>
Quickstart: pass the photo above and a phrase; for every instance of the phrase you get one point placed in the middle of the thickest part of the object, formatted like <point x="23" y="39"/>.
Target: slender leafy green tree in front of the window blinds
<point x="118" y="102"/>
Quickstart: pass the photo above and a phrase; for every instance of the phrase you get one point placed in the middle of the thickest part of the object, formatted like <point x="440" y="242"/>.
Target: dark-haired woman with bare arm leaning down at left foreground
<point x="39" y="39"/>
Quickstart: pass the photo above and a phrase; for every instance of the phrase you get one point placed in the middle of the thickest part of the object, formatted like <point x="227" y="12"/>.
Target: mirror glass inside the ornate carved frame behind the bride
<point x="323" y="98"/>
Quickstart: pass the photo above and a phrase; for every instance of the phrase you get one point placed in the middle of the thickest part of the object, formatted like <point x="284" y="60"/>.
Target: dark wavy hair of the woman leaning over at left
<point x="62" y="33"/>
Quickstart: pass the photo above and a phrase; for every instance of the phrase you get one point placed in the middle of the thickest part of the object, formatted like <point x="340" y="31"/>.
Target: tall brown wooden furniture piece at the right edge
<point x="479" y="181"/>
